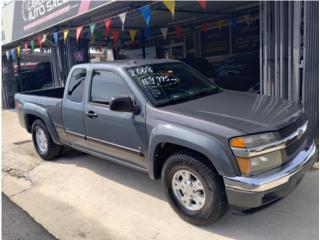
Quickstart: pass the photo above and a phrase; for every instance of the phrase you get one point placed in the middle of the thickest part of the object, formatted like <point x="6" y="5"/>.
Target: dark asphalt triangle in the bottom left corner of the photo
<point x="18" y="225"/>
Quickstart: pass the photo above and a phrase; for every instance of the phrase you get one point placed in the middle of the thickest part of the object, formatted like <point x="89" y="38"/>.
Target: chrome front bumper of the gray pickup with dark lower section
<point x="256" y="191"/>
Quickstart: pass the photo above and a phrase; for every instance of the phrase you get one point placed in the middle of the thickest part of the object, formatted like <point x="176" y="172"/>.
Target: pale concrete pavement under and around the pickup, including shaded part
<point x="83" y="197"/>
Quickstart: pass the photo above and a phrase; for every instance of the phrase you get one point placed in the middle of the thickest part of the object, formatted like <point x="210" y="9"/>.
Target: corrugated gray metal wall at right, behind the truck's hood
<point x="289" y="55"/>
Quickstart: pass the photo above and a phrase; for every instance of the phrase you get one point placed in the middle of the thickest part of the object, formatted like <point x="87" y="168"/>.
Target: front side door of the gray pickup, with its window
<point x="113" y="134"/>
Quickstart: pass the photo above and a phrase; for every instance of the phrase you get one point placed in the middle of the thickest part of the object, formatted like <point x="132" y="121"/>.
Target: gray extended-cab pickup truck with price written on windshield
<point x="212" y="148"/>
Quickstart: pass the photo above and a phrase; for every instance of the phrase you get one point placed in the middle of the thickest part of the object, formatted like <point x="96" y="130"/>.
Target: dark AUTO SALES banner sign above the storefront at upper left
<point x="32" y="16"/>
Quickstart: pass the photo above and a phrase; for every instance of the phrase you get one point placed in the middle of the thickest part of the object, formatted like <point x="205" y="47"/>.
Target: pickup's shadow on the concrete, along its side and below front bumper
<point x="295" y="217"/>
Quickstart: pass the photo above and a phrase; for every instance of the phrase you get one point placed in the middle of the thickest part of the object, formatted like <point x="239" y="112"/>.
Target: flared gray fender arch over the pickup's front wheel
<point x="165" y="140"/>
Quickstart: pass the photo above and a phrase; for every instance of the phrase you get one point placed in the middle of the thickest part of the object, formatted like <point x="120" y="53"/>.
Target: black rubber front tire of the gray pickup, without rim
<point x="216" y="203"/>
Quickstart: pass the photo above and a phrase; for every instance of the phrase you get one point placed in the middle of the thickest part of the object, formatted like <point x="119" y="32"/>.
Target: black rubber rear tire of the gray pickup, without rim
<point x="53" y="150"/>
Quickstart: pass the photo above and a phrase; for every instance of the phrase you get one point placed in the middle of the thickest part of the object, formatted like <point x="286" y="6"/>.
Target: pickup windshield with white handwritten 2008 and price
<point x="169" y="83"/>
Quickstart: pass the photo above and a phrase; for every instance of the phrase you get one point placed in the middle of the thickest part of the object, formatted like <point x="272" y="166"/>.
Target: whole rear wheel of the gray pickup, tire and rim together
<point x="43" y="143"/>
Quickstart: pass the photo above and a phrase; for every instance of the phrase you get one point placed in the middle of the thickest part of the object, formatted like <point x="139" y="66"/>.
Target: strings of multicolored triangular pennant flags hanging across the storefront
<point x="145" y="11"/>
